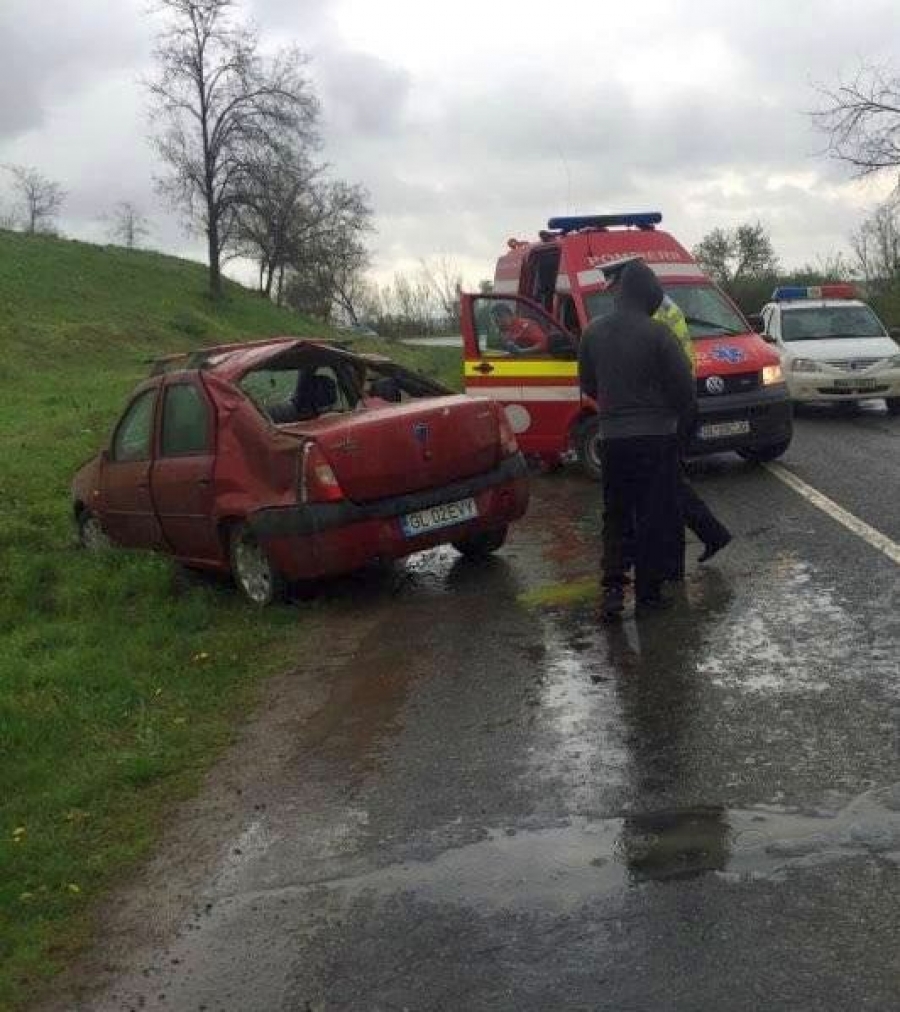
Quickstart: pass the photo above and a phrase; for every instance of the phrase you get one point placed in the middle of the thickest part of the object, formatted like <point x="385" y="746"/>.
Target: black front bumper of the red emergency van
<point x="768" y="412"/>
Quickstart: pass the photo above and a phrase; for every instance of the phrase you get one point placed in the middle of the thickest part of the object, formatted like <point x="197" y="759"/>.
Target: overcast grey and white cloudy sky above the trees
<point x="475" y="121"/>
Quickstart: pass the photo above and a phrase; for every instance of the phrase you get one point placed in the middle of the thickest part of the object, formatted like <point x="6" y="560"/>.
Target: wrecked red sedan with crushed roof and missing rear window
<point x="290" y="460"/>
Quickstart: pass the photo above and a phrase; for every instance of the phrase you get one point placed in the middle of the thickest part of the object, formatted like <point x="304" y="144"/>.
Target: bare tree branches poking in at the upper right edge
<point x="861" y="119"/>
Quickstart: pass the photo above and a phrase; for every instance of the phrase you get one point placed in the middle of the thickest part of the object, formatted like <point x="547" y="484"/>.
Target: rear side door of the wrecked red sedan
<point x="183" y="476"/>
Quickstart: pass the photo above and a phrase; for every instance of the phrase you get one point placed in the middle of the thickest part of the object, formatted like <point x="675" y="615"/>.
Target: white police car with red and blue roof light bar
<point x="833" y="346"/>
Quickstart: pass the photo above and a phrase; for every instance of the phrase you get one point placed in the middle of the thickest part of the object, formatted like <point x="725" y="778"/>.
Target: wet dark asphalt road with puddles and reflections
<point x="473" y="796"/>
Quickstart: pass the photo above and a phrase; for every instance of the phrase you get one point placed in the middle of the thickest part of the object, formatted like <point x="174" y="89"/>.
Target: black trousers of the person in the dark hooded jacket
<point x="641" y="477"/>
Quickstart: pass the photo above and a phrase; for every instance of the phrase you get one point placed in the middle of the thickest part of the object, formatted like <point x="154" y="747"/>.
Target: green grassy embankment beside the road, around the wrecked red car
<point x="117" y="689"/>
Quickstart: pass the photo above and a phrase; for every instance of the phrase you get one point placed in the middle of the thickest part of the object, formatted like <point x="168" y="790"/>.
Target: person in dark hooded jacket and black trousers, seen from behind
<point x="642" y="384"/>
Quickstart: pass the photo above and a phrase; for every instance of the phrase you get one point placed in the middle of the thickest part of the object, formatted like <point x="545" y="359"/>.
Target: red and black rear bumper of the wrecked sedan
<point x="312" y="540"/>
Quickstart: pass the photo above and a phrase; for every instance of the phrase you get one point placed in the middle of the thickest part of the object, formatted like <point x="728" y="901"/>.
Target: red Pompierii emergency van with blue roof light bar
<point x="521" y="343"/>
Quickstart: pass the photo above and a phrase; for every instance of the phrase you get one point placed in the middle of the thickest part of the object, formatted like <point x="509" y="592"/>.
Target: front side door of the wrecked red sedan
<point x="126" y="504"/>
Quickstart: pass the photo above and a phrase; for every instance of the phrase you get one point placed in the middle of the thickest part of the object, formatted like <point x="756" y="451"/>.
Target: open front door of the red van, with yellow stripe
<point x="517" y="354"/>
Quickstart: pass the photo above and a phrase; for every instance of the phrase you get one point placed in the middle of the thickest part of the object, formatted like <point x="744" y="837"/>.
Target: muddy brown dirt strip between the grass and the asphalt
<point x="142" y="917"/>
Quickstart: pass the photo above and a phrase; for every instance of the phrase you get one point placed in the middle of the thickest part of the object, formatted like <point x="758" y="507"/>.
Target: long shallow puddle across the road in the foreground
<point x="559" y="869"/>
